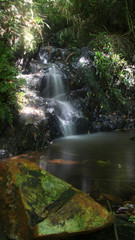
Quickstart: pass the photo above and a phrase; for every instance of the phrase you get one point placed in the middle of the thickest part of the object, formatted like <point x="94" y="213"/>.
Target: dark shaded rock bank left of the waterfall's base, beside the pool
<point x="30" y="133"/>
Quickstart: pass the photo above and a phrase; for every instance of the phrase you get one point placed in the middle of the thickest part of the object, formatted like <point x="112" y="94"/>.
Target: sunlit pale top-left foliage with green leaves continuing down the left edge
<point x="20" y="26"/>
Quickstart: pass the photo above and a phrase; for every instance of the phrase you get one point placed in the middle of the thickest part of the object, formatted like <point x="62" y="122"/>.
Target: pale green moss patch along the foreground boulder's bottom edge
<point x="70" y="222"/>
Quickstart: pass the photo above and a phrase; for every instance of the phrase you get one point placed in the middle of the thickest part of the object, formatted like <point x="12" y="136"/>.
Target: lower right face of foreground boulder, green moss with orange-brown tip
<point x="77" y="215"/>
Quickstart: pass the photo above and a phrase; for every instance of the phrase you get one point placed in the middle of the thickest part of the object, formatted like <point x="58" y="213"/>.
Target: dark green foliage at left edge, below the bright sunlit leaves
<point x="8" y="84"/>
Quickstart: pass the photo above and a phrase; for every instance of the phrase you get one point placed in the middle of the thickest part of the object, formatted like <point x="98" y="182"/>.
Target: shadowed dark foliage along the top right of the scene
<point x="84" y="16"/>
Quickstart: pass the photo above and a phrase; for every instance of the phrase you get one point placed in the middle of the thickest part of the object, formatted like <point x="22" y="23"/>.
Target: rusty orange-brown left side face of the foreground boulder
<point x="13" y="216"/>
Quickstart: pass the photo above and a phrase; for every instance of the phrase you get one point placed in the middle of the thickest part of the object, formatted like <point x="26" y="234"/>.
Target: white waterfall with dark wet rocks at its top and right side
<point x="64" y="114"/>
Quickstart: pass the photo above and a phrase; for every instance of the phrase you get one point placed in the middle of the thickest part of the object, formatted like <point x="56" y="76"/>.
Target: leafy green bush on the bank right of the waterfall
<point x="113" y="76"/>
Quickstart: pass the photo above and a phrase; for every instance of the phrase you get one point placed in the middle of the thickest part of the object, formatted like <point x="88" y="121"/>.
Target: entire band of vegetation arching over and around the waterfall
<point x="105" y="26"/>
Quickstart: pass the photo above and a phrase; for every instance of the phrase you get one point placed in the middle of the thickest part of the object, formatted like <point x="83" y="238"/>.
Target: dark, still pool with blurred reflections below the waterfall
<point x="104" y="161"/>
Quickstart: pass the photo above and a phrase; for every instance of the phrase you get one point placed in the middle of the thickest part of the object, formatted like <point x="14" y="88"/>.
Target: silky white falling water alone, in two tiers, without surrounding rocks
<point x="55" y="90"/>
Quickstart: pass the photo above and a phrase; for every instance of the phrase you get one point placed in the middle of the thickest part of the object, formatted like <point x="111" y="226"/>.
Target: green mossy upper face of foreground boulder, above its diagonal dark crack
<point x="41" y="192"/>
